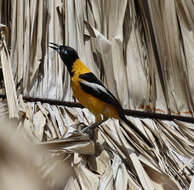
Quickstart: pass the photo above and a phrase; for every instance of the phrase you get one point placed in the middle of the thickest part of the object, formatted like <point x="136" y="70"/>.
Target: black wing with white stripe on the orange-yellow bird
<point x="92" y="85"/>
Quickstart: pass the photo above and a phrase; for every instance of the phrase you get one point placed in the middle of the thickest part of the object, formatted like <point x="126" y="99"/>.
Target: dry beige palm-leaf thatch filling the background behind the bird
<point x="141" y="50"/>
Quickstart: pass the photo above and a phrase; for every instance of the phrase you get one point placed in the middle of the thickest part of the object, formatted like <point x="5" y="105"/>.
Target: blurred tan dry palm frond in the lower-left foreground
<point x="24" y="166"/>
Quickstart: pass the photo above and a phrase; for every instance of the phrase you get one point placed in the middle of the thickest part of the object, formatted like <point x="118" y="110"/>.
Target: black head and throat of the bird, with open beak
<point x="67" y="54"/>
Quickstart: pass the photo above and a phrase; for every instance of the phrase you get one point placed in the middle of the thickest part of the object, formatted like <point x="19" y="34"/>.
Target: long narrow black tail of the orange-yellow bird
<point x="136" y="130"/>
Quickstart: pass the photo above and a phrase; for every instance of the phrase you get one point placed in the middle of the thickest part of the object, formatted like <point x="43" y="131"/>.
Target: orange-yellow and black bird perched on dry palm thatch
<point x="91" y="92"/>
